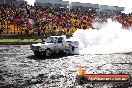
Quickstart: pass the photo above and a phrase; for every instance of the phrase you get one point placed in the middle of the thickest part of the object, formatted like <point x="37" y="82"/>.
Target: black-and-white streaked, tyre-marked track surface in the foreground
<point x="19" y="68"/>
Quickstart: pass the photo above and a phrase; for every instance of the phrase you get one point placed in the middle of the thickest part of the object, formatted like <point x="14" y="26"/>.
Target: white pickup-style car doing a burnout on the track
<point x="55" y="44"/>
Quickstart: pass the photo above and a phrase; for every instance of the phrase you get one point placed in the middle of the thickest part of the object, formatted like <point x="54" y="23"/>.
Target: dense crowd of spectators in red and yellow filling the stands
<point x="53" y="21"/>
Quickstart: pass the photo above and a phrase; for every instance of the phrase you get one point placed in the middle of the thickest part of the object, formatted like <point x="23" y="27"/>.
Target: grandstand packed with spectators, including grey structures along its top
<point x="50" y="17"/>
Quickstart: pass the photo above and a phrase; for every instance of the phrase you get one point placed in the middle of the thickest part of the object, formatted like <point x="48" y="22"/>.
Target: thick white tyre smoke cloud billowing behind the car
<point x="111" y="38"/>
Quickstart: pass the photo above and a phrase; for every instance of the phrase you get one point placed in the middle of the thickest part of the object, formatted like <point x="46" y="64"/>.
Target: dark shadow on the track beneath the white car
<point x="54" y="56"/>
